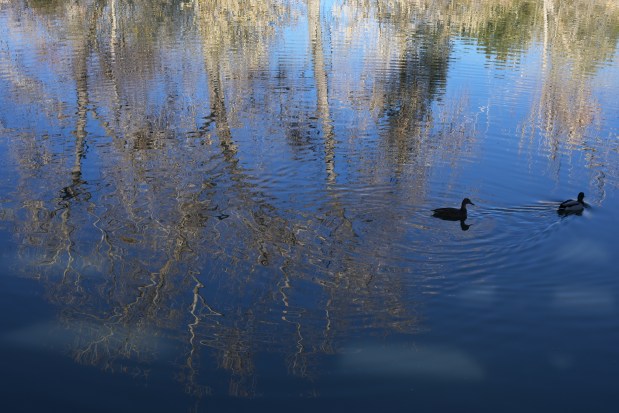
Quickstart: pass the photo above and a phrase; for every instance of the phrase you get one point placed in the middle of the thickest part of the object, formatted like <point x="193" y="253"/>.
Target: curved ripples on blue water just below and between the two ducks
<point x="499" y="241"/>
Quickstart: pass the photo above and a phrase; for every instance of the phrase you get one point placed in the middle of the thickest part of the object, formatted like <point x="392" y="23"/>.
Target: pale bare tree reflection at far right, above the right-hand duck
<point x="565" y="109"/>
